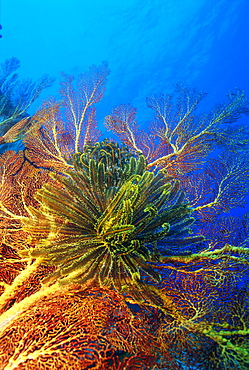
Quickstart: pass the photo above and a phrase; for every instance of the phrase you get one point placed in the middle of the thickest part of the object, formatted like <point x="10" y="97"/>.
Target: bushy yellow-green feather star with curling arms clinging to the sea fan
<point x="103" y="219"/>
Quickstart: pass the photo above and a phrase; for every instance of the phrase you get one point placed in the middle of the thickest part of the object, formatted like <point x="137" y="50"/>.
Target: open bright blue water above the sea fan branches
<point x="149" y="45"/>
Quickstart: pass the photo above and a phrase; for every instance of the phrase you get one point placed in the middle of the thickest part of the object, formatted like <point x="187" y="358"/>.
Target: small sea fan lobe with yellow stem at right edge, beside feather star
<point x="222" y="186"/>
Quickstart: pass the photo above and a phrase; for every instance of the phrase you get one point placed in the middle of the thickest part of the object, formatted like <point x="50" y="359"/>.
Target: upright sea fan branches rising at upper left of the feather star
<point x="65" y="127"/>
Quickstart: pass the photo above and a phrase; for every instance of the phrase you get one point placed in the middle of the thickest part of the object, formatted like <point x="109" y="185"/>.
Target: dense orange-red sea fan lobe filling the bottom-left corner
<point x="76" y="331"/>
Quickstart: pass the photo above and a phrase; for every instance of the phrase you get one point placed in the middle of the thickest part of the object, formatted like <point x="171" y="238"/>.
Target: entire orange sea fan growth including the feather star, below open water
<point x="120" y="256"/>
